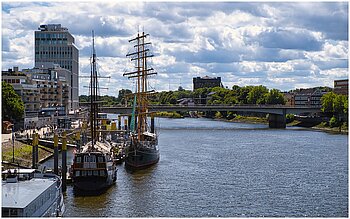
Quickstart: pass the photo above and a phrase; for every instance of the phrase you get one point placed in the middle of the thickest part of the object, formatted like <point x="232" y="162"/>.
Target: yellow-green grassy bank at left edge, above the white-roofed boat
<point x="22" y="153"/>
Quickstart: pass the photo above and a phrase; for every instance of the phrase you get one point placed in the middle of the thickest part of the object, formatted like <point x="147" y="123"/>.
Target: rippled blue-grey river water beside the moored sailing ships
<point x="215" y="168"/>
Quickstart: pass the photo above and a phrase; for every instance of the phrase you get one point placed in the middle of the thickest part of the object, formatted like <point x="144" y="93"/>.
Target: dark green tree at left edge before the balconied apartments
<point x="12" y="104"/>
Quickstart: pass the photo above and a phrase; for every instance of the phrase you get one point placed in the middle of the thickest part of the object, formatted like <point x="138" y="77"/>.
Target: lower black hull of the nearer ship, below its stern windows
<point x="92" y="183"/>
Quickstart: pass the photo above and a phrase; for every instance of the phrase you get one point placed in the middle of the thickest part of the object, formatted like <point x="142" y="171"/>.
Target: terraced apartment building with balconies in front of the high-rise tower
<point x="44" y="91"/>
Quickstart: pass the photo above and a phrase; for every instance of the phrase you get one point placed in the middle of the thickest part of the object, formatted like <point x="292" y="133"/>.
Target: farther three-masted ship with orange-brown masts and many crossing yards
<point x="143" y="150"/>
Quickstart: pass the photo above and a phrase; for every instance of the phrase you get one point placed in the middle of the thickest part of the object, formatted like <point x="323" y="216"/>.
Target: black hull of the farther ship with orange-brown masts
<point x="141" y="159"/>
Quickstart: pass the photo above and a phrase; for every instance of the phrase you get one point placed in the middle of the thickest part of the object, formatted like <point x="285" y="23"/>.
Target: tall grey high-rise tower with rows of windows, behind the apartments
<point x="53" y="43"/>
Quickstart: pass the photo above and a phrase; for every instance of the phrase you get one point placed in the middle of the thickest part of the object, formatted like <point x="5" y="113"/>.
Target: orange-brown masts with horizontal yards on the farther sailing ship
<point x="142" y="71"/>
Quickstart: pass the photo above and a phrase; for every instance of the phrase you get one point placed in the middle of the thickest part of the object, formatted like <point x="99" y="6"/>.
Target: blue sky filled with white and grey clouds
<point x="282" y="45"/>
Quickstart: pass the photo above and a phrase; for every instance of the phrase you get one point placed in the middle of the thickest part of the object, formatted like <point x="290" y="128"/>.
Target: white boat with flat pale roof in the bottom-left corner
<point x="30" y="193"/>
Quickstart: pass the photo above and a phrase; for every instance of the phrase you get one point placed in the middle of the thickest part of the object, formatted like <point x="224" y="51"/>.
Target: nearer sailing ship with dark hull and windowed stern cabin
<point x="93" y="165"/>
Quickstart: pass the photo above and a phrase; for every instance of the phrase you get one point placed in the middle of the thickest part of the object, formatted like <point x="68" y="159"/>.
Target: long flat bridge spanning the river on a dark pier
<point x="277" y="113"/>
